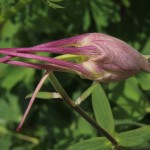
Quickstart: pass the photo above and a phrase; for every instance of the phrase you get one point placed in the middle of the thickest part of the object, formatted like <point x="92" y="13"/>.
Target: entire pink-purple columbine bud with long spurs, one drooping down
<point x="97" y="56"/>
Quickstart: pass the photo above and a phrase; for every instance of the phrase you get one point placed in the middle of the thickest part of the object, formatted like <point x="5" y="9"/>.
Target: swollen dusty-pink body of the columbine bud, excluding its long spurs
<point x="114" y="60"/>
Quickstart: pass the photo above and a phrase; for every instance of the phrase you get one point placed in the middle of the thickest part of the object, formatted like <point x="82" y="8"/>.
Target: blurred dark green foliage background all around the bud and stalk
<point x="51" y="124"/>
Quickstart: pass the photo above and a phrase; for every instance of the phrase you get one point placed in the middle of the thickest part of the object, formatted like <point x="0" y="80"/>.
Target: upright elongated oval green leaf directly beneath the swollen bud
<point x="102" y="109"/>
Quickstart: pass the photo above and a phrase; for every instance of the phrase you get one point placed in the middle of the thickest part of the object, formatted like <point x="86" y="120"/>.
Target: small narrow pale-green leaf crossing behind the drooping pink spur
<point x="45" y="95"/>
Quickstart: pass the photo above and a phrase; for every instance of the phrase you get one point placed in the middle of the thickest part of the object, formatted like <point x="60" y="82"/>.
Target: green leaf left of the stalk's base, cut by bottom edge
<point x="99" y="143"/>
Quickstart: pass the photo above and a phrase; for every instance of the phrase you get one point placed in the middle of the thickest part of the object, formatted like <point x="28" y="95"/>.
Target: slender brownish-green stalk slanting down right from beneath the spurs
<point x="80" y="111"/>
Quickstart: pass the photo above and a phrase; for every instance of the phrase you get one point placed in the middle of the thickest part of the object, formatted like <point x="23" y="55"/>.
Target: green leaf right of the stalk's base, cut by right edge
<point x="134" y="137"/>
